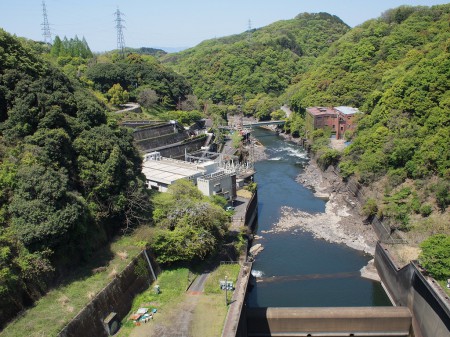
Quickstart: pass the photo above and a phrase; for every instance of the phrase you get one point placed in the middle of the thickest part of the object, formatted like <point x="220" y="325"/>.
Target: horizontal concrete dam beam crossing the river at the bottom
<point x="363" y="321"/>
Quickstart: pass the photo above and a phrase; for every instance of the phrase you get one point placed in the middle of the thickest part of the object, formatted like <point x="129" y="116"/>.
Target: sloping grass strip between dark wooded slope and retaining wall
<point x="58" y="307"/>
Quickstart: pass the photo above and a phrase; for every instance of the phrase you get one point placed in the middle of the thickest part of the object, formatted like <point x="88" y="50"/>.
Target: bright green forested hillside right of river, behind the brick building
<point x="397" y="70"/>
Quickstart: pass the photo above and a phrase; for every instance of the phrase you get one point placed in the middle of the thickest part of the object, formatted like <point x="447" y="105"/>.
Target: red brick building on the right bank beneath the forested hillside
<point x="337" y="119"/>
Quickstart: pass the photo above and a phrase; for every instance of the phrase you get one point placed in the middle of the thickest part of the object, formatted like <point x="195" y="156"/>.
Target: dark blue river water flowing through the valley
<point x="296" y="269"/>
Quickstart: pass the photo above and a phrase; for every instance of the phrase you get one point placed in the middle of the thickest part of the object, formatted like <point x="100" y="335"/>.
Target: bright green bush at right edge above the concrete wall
<point x="435" y="256"/>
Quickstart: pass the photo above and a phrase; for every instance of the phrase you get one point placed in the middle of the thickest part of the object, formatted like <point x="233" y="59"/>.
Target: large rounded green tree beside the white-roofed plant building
<point x="190" y="225"/>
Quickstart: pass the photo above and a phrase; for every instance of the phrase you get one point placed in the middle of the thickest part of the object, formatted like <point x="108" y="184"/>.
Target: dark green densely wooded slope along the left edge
<point x="67" y="179"/>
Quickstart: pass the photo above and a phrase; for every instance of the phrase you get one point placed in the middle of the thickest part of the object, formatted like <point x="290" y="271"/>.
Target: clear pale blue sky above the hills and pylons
<point x="174" y="23"/>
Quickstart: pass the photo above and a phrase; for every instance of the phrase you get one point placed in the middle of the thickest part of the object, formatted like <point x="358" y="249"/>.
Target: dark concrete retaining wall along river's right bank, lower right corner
<point x="408" y="287"/>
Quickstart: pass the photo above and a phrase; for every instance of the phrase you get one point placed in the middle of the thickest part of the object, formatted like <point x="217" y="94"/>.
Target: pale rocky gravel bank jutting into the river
<point x="340" y="223"/>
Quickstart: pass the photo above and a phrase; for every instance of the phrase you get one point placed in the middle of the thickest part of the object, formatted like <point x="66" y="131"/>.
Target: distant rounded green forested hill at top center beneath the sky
<point x="262" y="60"/>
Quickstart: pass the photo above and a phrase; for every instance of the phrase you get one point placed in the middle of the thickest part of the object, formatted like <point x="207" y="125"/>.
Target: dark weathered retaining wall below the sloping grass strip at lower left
<point x="116" y="297"/>
